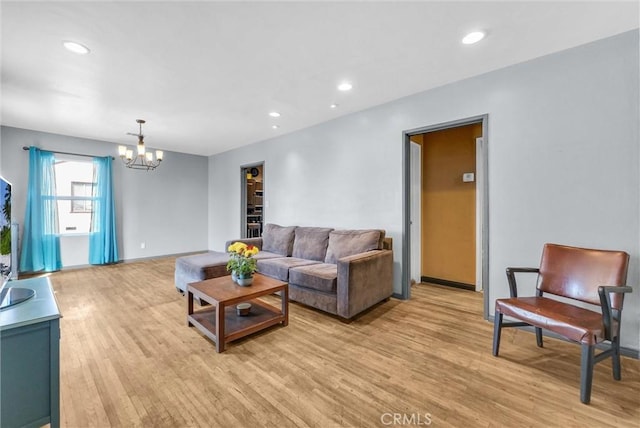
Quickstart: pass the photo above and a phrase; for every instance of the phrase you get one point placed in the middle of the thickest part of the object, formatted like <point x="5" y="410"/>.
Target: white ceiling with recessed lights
<point x="205" y="75"/>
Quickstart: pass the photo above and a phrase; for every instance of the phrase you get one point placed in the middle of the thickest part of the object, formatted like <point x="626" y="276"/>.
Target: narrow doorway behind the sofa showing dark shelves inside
<point x="252" y="191"/>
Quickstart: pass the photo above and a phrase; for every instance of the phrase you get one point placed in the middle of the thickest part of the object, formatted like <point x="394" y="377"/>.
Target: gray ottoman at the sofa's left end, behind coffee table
<point x="200" y="267"/>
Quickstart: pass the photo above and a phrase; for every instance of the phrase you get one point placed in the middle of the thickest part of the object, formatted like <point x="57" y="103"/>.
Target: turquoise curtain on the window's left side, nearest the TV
<point x="40" y="239"/>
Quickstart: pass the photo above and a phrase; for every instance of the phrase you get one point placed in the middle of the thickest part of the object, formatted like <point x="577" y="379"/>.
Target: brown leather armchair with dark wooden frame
<point x="596" y="277"/>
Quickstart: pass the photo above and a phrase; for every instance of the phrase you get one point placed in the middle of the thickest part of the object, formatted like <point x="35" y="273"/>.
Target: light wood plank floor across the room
<point x="128" y="359"/>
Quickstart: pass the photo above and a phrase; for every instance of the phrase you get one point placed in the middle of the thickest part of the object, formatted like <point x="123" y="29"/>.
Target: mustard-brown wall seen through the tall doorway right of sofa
<point x="449" y="205"/>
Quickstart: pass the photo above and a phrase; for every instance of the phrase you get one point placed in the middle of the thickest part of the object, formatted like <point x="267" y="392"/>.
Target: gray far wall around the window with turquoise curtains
<point x="165" y="208"/>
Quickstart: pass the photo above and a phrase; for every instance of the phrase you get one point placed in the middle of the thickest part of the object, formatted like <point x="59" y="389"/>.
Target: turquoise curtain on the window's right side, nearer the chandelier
<point x="103" y="242"/>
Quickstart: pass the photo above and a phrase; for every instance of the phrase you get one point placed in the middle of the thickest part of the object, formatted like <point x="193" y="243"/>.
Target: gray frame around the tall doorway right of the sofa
<point x="482" y="187"/>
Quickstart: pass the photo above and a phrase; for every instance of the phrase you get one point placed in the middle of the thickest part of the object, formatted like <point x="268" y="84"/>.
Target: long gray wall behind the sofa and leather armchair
<point x="563" y="163"/>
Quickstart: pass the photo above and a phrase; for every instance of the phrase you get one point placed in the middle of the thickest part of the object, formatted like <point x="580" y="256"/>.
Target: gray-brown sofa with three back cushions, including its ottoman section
<point x="342" y="272"/>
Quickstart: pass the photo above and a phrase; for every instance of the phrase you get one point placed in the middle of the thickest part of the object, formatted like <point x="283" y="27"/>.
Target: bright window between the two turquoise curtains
<point x="74" y="189"/>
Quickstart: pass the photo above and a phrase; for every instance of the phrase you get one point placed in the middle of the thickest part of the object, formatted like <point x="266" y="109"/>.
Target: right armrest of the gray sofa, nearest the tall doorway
<point x="363" y="280"/>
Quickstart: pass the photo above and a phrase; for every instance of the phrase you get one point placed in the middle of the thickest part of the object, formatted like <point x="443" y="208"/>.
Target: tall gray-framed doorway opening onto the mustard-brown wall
<point x="449" y="225"/>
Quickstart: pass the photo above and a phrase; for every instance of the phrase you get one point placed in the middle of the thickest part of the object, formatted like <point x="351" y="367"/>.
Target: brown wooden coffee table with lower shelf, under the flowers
<point x="220" y="322"/>
